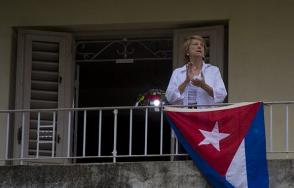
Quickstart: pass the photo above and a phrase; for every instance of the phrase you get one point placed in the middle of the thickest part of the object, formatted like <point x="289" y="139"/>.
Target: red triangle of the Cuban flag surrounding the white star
<point x="233" y="123"/>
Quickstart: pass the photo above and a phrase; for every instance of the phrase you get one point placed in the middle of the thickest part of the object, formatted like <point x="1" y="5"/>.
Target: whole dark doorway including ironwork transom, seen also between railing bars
<point x="121" y="71"/>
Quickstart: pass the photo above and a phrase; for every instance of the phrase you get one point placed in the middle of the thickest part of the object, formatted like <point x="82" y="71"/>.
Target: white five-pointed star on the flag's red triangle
<point x="213" y="137"/>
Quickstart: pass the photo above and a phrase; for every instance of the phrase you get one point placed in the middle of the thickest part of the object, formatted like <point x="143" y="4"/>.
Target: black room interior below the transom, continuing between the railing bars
<point x="119" y="84"/>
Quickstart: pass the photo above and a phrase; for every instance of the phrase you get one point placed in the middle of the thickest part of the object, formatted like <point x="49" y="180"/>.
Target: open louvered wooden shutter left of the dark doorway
<point x="44" y="81"/>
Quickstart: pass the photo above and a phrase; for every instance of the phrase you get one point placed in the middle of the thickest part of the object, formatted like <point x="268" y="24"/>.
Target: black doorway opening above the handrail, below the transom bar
<point x="114" y="84"/>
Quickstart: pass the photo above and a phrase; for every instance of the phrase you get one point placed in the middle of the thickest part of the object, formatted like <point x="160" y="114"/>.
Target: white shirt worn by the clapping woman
<point x="212" y="77"/>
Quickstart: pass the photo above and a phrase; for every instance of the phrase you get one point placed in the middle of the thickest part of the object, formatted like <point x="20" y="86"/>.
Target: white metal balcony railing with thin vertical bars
<point x="113" y="134"/>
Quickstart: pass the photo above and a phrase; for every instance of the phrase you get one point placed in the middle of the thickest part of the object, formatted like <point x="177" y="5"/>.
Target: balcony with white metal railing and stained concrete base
<point x="119" y="155"/>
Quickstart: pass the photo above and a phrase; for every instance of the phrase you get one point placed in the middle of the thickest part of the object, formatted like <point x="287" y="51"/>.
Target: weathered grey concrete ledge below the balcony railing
<point x="177" y="174"/>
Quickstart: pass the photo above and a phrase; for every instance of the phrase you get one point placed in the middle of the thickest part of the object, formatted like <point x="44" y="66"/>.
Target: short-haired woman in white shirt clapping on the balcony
<point x="196" y="83"/>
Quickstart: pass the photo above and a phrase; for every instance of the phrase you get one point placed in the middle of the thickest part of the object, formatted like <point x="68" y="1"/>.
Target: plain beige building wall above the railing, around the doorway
<point x="261" y="58"/>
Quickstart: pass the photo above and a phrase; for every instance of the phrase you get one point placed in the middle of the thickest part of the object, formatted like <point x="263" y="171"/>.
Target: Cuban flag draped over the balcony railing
<point x="227" y="144"/>
